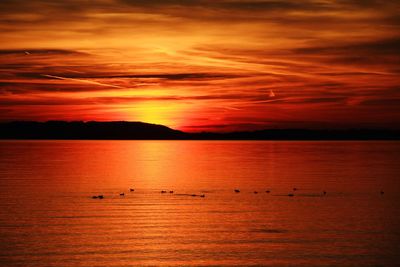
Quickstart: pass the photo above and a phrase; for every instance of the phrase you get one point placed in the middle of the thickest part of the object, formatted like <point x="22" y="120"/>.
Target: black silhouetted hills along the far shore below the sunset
<point x="121" y="130"/>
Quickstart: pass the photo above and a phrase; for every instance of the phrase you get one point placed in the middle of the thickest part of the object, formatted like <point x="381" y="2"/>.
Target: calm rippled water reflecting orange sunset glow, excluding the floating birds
<point x="48" y="218"/>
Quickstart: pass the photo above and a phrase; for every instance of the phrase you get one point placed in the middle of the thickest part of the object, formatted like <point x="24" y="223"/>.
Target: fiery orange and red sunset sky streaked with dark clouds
<point x="202" y="65"/>
